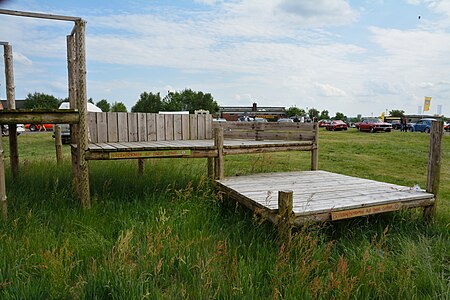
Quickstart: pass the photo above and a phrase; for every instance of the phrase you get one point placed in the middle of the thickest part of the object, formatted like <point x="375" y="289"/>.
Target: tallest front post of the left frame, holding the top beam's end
<point x="82" y="108"/>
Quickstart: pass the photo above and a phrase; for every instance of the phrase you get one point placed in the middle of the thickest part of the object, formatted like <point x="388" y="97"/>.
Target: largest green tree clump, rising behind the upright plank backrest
<point x="189" y="100"/>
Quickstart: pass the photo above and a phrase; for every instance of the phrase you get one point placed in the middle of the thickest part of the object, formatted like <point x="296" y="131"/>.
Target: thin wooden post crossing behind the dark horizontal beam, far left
<point x="10" y="96"/>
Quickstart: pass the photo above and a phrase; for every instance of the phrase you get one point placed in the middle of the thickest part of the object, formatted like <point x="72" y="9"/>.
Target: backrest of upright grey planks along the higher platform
<point x="142" y="127"/>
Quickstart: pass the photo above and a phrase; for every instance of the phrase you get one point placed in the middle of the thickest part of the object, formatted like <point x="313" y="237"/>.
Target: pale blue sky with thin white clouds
<point x="356" y="57"/>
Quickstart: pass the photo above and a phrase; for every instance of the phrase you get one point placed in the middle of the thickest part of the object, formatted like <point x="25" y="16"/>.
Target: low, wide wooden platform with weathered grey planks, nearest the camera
<point x="321" y="196"/>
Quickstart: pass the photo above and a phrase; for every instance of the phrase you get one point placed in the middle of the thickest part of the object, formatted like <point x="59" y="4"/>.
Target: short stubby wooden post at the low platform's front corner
<point x="285" y="216"/>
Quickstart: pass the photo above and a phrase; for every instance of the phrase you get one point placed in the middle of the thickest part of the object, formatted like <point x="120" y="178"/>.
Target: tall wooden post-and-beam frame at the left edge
<point x="76" y="115"/>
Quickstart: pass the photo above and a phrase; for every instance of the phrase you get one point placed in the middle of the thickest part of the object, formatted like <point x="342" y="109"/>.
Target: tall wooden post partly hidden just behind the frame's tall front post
<point x="72" y="83"/>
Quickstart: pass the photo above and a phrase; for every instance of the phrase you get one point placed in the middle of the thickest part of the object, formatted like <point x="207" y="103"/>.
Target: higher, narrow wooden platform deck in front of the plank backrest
<point x="187" y="148"/>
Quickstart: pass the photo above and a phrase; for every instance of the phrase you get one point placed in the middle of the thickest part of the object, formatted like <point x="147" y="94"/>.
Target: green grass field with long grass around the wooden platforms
<point x="167" y="235"/>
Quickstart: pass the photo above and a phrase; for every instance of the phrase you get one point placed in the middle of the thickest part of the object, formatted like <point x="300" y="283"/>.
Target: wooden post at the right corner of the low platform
<point x="434" y="166"/>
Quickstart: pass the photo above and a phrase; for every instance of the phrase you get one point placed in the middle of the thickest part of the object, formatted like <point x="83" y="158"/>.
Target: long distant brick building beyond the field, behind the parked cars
<point x="271" y="113"/>
